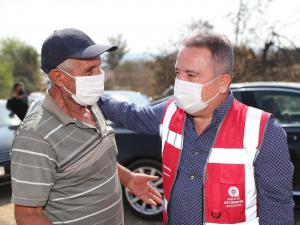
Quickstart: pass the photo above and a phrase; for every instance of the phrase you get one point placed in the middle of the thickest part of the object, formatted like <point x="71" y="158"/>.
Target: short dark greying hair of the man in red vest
<point x="219" y="46"/>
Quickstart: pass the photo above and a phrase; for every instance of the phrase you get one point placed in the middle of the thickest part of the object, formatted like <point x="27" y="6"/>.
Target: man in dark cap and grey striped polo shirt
<point x="63" y="166"/>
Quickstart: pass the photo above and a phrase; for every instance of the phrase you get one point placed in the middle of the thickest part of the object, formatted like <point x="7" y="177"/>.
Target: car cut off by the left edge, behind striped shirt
<point x="8" y="124"/>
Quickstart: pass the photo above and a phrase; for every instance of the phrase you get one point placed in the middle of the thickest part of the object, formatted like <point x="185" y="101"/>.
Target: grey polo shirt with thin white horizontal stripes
<point x="67" y="167"/>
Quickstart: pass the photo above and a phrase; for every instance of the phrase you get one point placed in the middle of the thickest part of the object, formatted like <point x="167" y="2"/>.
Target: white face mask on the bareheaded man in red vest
<point x="188" y="95"/>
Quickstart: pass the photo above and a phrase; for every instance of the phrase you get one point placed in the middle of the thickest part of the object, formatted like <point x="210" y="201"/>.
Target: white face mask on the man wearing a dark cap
<point x="88" y="88"/>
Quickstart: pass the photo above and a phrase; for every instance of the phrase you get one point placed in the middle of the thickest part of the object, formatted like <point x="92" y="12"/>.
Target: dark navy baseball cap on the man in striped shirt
<point x="69" y="43"/>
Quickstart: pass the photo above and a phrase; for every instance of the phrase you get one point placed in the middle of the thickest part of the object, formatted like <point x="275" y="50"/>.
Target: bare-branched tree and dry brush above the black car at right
<point x="261" y="51"/>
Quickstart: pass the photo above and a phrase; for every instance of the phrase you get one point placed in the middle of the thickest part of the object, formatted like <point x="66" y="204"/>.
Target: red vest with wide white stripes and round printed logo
<point x="229" y="184"/>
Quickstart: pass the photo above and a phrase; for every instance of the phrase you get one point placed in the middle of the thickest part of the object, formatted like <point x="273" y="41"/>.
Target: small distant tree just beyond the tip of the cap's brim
<point x="114" y="58"/>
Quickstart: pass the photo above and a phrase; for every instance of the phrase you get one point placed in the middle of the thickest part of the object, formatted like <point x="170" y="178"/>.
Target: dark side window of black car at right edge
<point x="285" y="106"/>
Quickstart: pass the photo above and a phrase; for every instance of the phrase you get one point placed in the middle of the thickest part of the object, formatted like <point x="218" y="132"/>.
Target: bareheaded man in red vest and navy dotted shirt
<point x="223" y="162"/>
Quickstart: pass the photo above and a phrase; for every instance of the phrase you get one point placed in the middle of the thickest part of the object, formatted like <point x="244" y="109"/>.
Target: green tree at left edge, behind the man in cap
<point x="24" y="61"/>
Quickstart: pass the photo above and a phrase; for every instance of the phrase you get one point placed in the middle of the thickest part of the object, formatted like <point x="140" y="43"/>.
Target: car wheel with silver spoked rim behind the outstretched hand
<point x="150" y="167"/>
